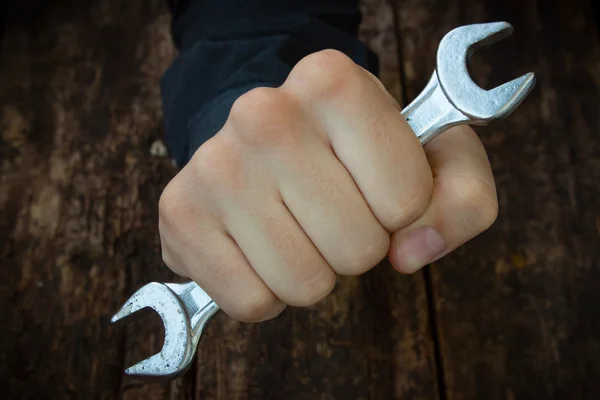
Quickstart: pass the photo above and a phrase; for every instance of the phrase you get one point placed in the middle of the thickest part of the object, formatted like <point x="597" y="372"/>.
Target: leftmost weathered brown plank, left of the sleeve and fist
<point x="79" y="108"/>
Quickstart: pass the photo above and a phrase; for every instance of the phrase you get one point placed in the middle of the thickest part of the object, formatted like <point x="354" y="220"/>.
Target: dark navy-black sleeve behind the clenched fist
<point x="228" y="47"/>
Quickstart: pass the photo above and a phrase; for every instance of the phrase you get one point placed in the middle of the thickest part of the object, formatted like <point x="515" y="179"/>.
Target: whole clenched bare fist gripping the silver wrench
<point x="321" y="176"/>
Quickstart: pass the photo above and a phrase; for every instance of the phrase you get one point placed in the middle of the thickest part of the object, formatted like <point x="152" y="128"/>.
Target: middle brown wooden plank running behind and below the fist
<point x="368" y="340"/>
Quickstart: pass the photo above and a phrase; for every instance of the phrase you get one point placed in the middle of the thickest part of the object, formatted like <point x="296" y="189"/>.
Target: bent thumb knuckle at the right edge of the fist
<point x="479" y="201"/>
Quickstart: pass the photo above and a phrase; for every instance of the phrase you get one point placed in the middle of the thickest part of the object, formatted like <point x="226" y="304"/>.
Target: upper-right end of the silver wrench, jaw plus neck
<point x="452" y="98"/>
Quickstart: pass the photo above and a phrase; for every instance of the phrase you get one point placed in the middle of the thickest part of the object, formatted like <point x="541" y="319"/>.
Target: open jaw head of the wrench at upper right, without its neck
<point x="453" y="54"/>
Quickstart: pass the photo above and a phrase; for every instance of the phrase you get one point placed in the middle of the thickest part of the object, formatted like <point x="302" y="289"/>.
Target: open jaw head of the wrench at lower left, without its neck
<point x="176" y="353"/>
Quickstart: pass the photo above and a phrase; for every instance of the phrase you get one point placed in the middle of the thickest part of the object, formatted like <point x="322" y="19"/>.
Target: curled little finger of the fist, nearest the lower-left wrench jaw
<point x="195" y="245"/>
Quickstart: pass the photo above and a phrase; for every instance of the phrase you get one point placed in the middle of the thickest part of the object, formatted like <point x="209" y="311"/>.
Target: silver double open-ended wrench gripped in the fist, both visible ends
<point x="450" y="98"/>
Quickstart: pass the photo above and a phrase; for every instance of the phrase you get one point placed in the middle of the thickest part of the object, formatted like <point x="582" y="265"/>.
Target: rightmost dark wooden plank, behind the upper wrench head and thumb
<point x="516" y="309"/>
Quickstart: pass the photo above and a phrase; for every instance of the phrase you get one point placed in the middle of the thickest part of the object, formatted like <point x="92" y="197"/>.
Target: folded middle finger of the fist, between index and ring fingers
<point x="325" y="201"/>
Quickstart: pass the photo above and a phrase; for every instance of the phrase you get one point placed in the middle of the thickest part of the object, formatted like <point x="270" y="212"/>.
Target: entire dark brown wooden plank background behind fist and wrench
<point x="512" y="315"/>
